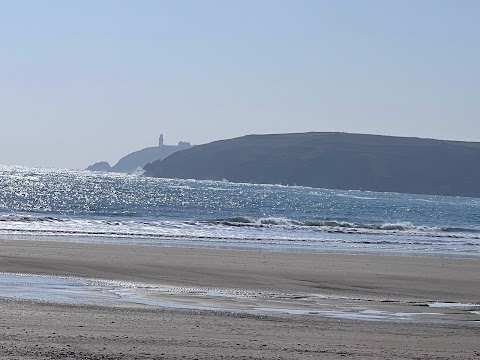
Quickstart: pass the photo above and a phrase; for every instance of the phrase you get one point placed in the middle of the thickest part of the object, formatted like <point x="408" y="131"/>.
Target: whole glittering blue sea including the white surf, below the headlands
<point x="84" y="206"/>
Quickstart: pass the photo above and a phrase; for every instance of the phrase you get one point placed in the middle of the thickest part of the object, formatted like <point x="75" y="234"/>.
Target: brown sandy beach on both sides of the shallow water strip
<point x="33" y="329"/>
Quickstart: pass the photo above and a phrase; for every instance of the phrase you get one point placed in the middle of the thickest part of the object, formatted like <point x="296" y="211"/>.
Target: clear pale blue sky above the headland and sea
<point x="92" y="80"/>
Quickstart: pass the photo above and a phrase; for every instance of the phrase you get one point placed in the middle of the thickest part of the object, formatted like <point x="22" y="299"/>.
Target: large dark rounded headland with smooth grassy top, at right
<point x="333" y="160"/>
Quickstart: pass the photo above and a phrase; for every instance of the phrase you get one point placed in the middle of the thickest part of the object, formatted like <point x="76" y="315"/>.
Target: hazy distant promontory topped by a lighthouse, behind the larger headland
<point x="136" y="160"/>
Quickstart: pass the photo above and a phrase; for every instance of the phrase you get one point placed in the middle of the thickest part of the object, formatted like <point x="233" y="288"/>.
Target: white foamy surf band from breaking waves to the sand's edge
<point x="268" y="233"/>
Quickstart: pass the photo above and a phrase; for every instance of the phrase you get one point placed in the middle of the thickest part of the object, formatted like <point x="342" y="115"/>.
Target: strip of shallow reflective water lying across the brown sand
<point x="126" y="294"/>
